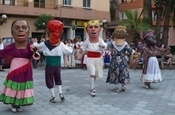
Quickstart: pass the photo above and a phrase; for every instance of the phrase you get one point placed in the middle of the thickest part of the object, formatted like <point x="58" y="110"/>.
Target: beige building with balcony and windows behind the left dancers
<point x="73" y="13"/>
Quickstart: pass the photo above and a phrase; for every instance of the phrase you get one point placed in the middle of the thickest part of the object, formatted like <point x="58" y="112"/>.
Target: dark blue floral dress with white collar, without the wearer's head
<point x="118" y="70"/>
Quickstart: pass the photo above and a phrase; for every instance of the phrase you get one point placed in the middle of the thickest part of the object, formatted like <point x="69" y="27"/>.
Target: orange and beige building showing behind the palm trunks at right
<point x="137" y="5"/>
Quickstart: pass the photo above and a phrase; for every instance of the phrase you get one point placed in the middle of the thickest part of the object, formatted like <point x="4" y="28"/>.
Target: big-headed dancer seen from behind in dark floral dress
<point x="118" y="73"/>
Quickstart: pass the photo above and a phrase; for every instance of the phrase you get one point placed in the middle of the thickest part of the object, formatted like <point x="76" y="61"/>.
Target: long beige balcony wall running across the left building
<point x="51" y="7"/>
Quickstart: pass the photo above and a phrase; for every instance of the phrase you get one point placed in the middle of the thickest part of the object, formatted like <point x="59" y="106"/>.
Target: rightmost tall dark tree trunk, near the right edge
<point x="166" y="23"/>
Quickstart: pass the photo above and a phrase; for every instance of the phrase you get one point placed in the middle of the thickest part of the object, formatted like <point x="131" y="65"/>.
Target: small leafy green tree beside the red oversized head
<point x="41" y="22"/>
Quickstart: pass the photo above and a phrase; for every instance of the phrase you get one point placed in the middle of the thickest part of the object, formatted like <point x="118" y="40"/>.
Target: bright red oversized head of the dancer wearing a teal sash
<point x="55" y="27"/>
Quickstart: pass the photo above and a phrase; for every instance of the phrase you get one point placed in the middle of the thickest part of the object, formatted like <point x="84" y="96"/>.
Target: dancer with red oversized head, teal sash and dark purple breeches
<point x="53" y="49"/>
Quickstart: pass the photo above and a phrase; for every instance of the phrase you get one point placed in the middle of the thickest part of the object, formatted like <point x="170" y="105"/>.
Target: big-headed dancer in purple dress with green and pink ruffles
<point x="18" y="85"/>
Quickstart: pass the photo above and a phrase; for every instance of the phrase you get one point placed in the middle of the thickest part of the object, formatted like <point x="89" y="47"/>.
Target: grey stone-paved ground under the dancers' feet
<point x="136" y="100"/>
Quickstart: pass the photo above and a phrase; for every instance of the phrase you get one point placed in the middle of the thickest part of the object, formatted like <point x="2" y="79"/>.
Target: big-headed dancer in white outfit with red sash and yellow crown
<point x="93" y="46"/>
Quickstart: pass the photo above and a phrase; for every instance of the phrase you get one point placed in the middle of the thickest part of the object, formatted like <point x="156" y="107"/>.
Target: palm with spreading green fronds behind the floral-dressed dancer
<point x="135" y="25"/>
